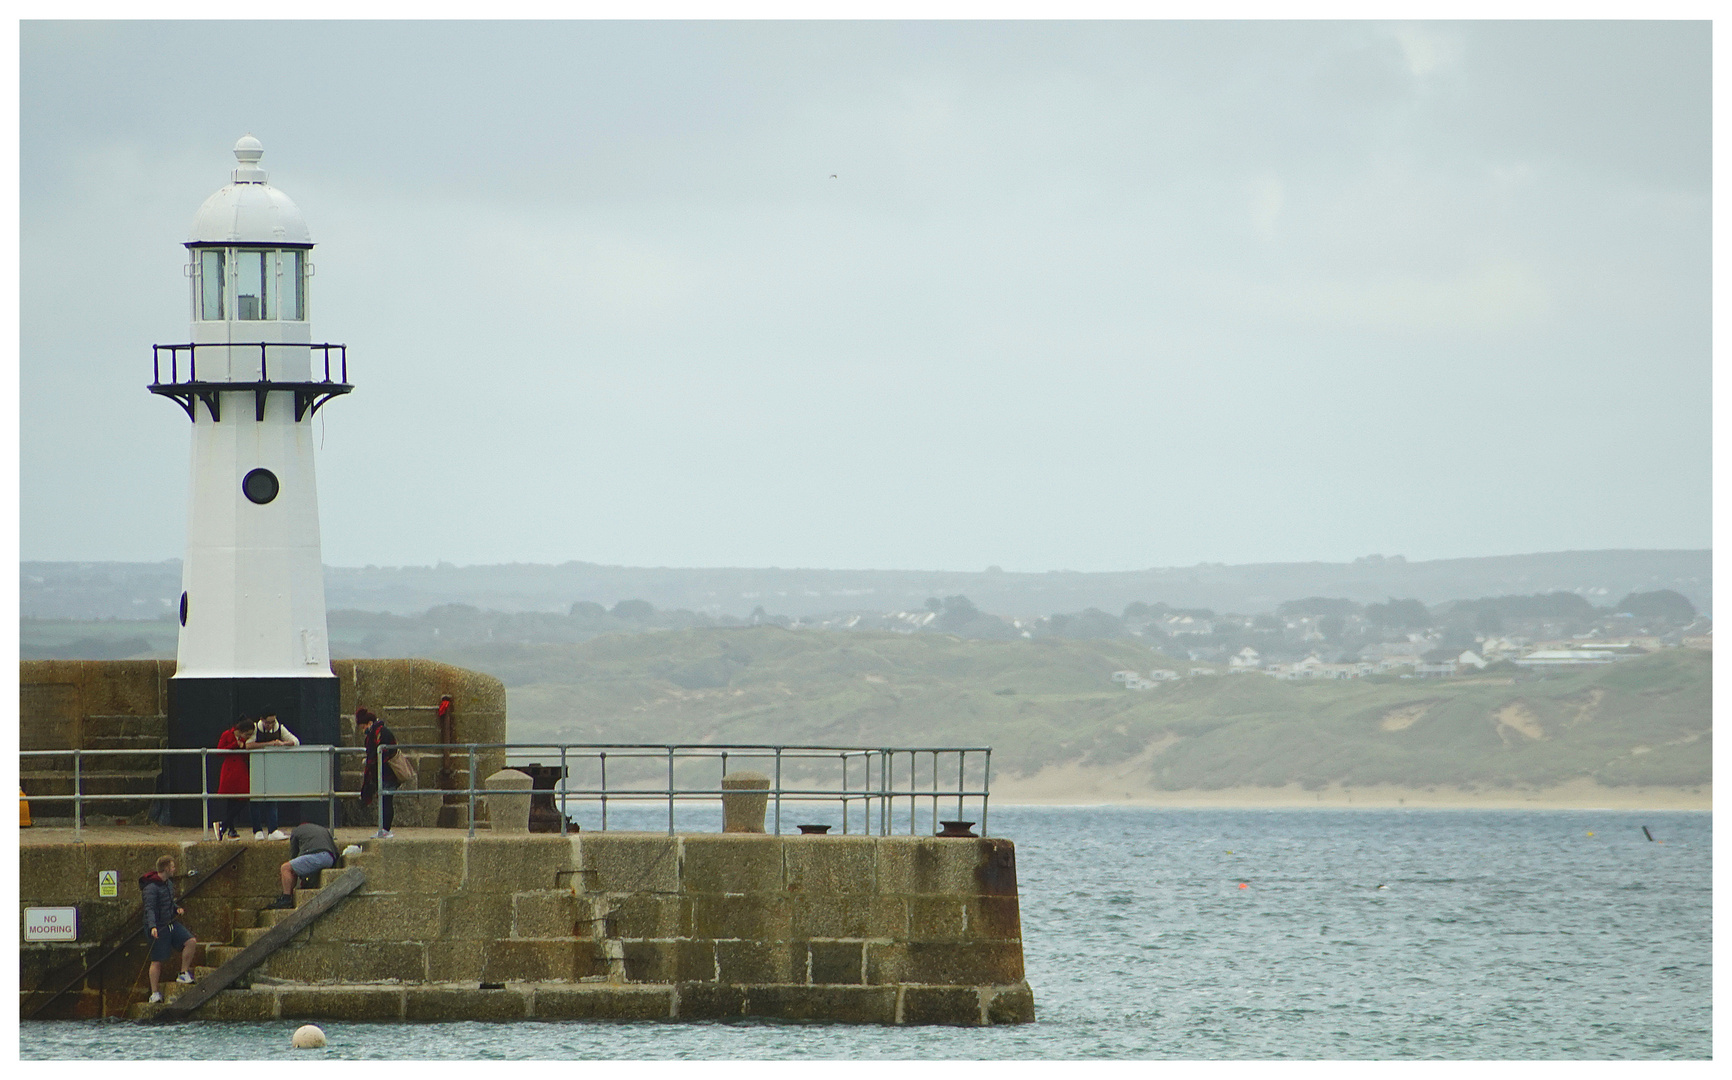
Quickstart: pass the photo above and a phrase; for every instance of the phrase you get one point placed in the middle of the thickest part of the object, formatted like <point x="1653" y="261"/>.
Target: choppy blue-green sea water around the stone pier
<point x="1225" y="934"/>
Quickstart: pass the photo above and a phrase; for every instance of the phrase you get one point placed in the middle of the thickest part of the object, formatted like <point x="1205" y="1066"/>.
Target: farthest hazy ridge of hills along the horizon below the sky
<point x="129" y="591"/>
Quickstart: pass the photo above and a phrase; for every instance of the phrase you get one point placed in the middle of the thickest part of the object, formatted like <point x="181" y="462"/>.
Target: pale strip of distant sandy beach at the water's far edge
<point x="1076" y="787"/>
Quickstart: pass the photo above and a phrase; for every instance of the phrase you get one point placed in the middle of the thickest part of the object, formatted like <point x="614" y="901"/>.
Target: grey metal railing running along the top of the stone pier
<point x="879" y="787"/>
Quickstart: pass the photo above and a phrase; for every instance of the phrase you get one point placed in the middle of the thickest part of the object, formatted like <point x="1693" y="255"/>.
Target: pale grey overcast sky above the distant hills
<point x="1089" y="297"/>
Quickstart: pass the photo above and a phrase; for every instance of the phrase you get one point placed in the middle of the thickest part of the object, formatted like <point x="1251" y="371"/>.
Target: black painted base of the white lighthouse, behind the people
<point x="200" y="710"/>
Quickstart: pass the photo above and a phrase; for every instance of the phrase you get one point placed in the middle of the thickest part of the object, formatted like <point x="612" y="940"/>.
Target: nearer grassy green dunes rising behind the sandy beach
<point x="1047" y="704"/>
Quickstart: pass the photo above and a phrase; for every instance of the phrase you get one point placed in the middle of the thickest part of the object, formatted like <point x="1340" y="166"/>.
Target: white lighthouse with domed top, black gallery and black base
<point x="250" y="380"/>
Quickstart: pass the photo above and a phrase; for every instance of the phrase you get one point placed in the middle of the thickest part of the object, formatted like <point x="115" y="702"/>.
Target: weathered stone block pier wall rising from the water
<point x="593" y="927"/>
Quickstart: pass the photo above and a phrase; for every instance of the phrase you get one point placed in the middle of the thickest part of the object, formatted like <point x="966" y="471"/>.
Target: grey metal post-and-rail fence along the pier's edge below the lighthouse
<point x="877" y="790"/>
